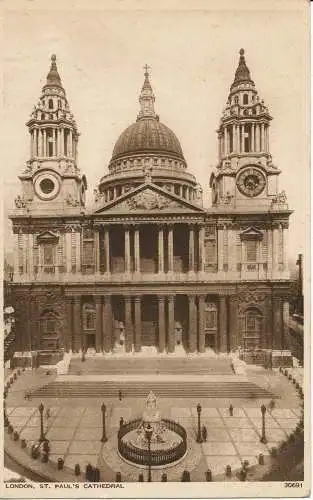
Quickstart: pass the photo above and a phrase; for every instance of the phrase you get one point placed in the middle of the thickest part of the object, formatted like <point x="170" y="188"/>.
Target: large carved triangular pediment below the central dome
<point x="149" y="198"/>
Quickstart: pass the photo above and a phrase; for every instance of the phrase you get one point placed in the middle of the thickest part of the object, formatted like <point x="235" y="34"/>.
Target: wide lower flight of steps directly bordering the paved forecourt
<point x="165" y="389"/>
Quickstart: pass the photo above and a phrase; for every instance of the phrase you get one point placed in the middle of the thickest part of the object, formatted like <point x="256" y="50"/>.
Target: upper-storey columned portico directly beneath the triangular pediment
<point x="148" y="248"/>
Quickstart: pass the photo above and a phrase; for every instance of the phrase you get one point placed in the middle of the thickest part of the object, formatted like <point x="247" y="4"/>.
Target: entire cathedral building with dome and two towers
<point x="147" y="265"/>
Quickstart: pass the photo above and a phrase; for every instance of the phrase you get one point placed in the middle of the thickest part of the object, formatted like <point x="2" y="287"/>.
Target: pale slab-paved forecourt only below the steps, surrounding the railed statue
<point x="75" y="434"/>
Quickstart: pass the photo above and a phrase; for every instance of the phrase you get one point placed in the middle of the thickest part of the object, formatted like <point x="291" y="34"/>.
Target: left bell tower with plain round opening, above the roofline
<point x="52" y="181"/>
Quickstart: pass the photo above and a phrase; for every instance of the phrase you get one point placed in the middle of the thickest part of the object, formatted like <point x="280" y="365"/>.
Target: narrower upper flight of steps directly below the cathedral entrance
<point x="165" y="366"/>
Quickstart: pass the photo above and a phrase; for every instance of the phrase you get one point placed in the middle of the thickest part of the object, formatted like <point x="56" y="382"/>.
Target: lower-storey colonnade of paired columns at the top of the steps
<point x="129" y="322"/>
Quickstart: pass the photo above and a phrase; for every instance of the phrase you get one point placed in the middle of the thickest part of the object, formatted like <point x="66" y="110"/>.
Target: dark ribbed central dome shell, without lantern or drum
<point x="147" y="135"/>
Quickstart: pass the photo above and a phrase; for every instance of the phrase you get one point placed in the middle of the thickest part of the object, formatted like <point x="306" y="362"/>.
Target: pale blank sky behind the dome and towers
<point x="193" y="53"/>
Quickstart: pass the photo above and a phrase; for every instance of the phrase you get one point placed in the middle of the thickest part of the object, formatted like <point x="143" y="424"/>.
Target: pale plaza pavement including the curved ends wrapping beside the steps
<point x="74" y="428"/>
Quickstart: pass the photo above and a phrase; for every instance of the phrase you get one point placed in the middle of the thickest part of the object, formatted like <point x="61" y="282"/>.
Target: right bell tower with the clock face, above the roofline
<point x="245" y="176"/>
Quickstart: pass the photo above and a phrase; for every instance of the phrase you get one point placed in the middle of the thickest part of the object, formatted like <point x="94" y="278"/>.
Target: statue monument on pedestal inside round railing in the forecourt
<point x="168" y="443"/>
